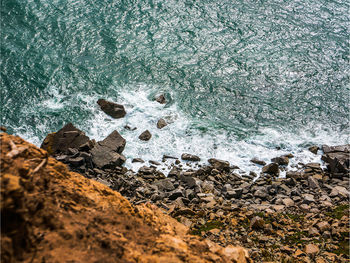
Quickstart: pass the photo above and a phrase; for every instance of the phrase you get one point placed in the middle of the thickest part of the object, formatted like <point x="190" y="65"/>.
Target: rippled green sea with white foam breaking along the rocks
<point x="242" y="79"/>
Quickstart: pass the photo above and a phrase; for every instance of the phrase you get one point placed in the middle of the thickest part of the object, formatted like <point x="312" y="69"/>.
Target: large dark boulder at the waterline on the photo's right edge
<point x="337" y="158"/>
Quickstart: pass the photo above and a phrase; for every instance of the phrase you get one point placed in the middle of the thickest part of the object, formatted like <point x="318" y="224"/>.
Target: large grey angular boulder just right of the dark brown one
<point x="107" y="153"/>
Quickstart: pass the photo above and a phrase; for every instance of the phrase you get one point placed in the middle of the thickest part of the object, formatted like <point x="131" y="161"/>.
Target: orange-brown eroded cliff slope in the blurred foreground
<point x="49" y="214"/>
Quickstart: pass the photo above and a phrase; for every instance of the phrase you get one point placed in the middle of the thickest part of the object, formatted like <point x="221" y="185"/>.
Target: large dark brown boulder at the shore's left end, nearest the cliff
<point x="67" y="137"/>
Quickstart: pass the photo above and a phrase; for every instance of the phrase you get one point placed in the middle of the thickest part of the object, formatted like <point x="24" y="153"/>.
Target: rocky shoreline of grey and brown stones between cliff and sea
<point x="303" y="217"/>
